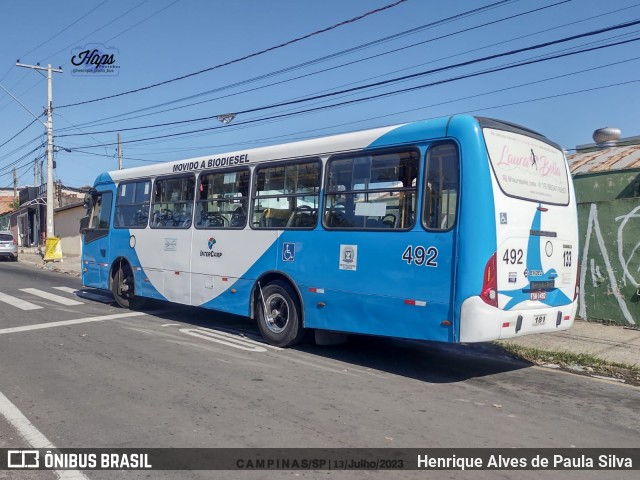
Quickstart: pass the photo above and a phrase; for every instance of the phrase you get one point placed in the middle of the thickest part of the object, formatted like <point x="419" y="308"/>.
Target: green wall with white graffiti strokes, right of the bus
<point x="610" y="260"/>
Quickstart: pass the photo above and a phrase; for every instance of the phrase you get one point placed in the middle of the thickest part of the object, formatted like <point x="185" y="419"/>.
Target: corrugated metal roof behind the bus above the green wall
<point x="608" y="159"/>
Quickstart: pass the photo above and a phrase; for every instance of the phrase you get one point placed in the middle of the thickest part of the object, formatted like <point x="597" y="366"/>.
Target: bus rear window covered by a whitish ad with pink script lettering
<point x="527" y="168"/>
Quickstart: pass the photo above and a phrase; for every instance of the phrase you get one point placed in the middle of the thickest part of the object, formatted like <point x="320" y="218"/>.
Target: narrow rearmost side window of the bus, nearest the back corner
<point x="441" y="187"/>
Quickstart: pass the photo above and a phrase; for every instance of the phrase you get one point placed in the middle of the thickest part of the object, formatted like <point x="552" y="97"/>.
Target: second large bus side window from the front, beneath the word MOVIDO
<point x="172" y="202"/>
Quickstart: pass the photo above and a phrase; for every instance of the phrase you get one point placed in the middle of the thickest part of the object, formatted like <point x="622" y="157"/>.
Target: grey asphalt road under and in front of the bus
<point x="184" y="377"/>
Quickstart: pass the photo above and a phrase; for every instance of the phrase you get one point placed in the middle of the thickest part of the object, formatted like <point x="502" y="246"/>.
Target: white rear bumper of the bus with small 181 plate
<point x="480" y="322"/>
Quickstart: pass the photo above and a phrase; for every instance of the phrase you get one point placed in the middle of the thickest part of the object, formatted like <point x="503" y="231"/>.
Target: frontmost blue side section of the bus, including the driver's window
<point x="95" y="248"/>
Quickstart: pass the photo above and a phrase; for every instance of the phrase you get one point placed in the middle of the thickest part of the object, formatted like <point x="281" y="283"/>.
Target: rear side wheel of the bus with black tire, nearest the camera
<point x="281" y="323"/>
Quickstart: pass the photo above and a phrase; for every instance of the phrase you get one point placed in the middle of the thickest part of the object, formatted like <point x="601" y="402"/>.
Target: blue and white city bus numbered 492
<point x="460" y="229"/>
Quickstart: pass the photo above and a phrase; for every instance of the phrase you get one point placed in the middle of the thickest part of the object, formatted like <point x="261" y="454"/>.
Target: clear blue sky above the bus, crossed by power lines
<point x="157" y="40"/>
